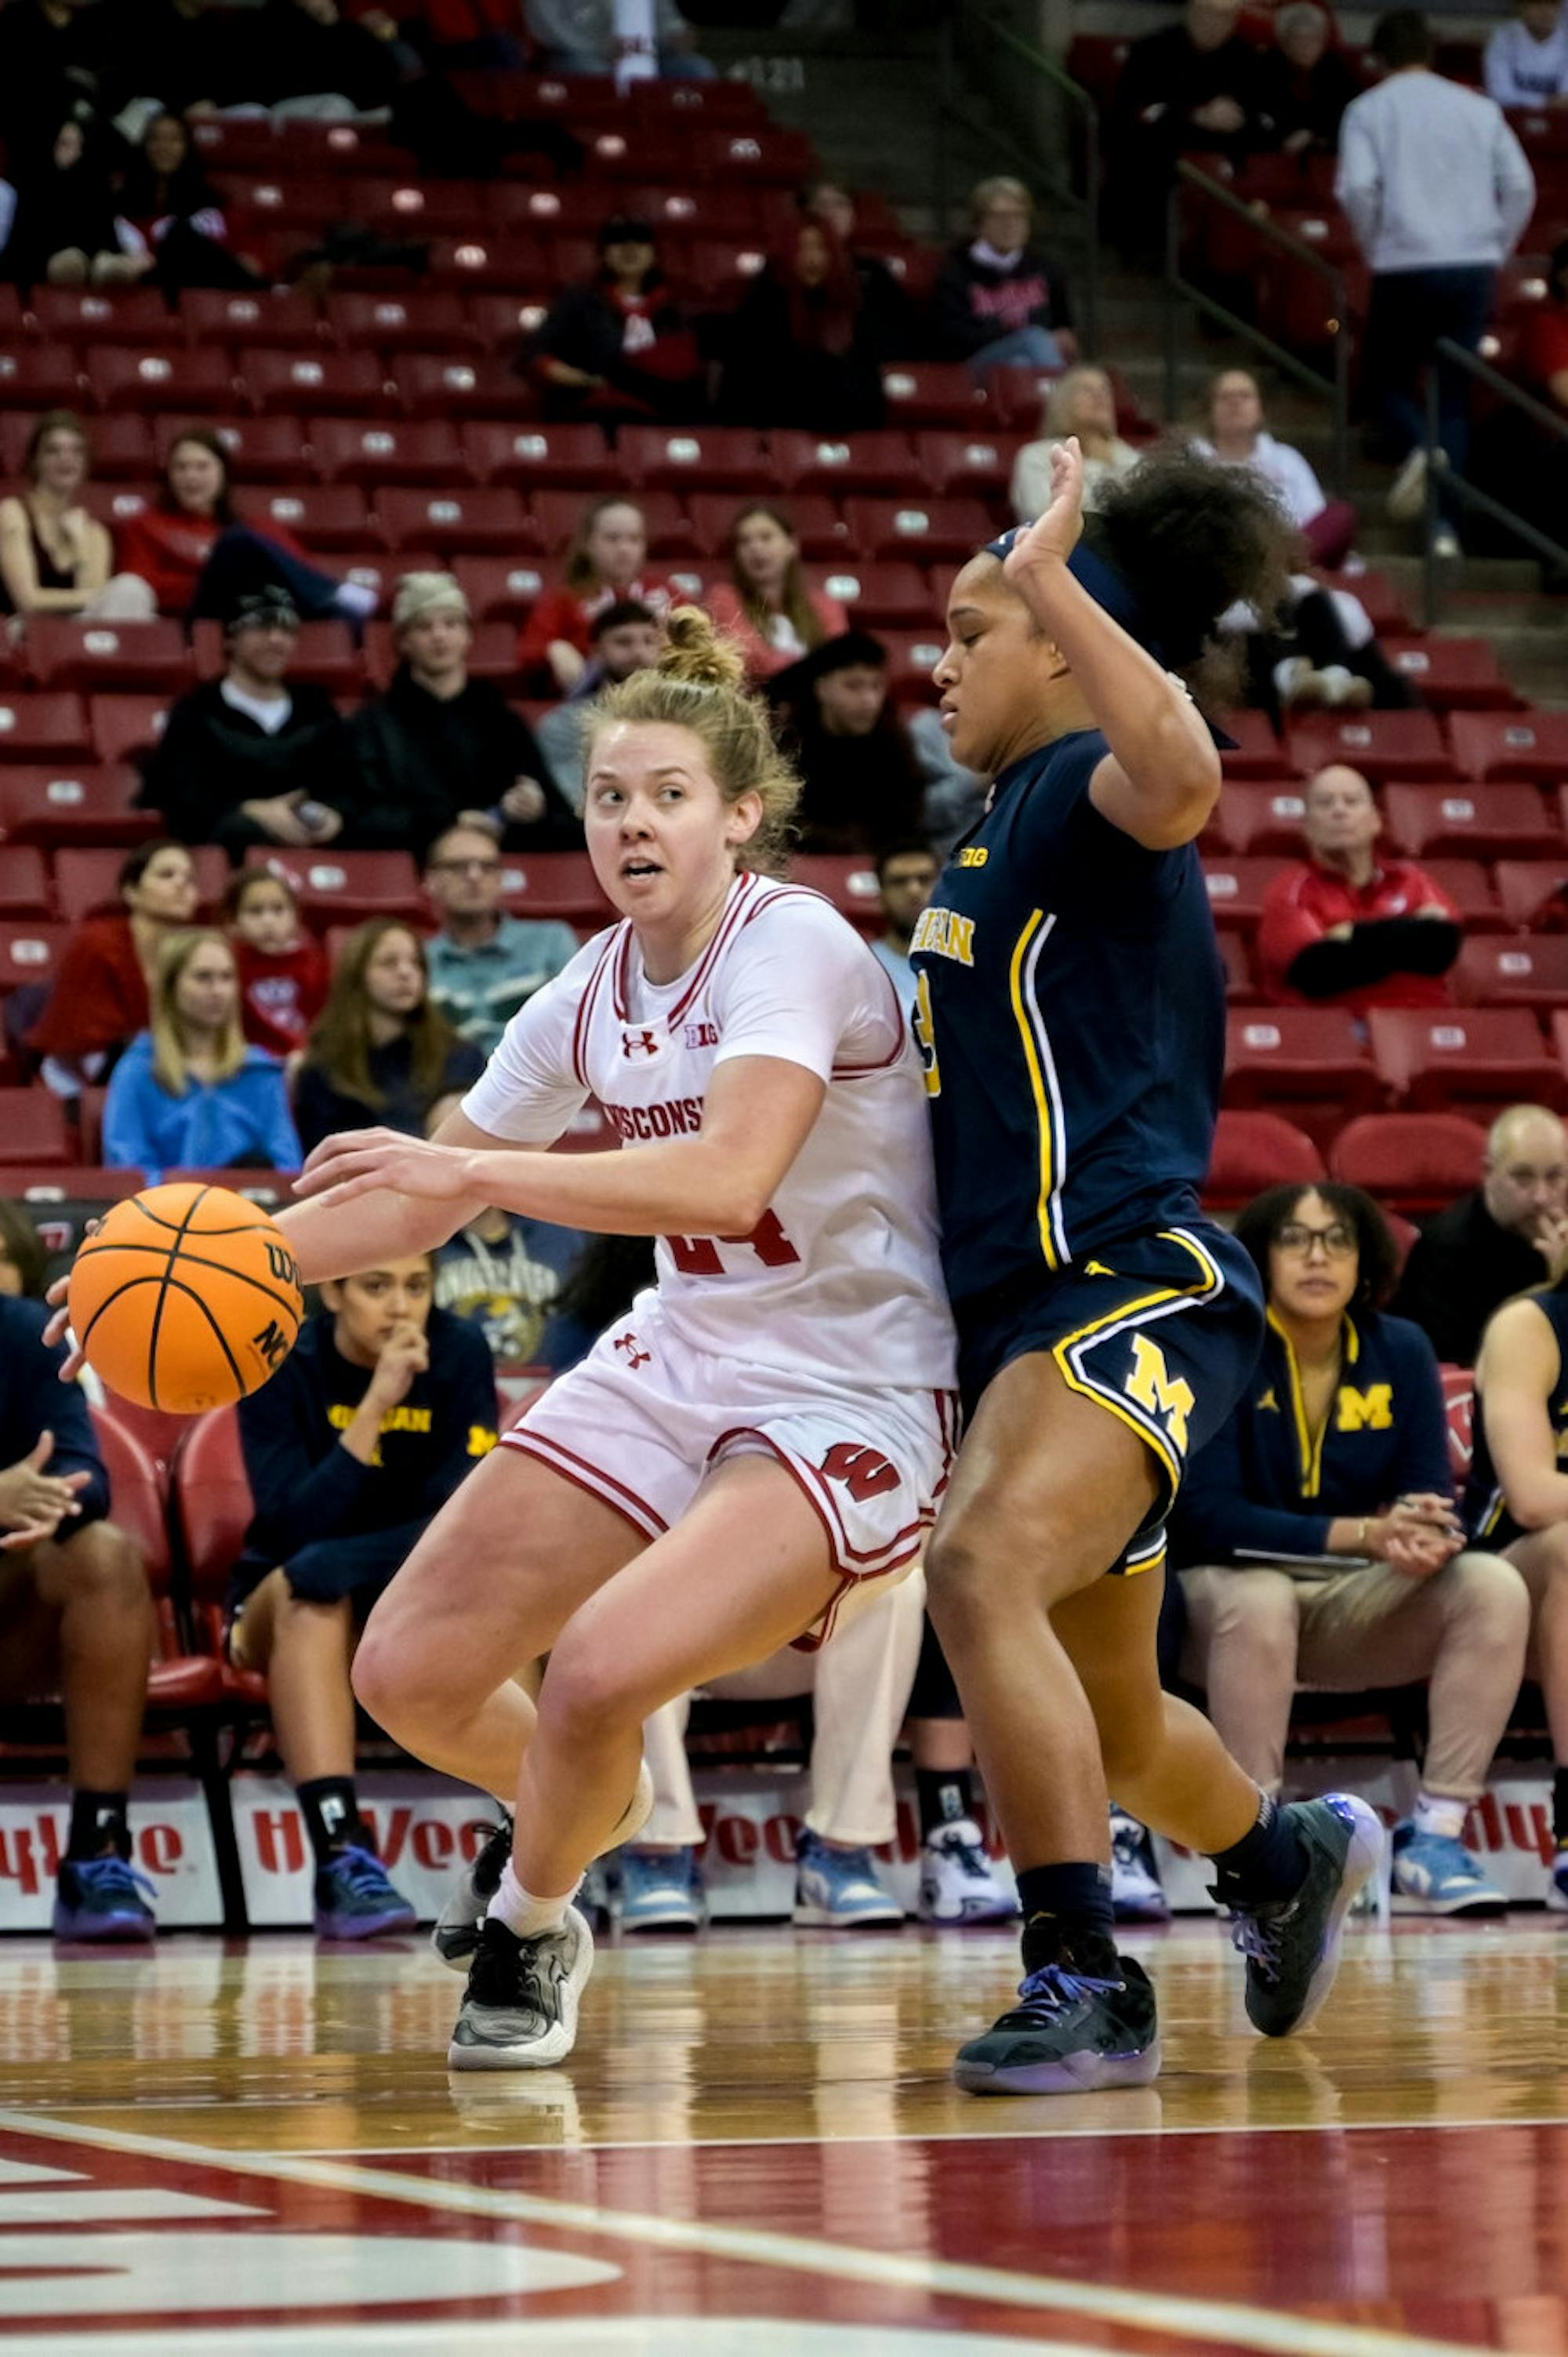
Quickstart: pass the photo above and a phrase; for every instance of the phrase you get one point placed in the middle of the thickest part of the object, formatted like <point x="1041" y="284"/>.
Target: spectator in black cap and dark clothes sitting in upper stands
<point x="621" y="345"/>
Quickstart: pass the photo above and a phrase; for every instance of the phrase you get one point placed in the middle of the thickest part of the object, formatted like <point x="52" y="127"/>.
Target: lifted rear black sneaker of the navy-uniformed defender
<point x="1293" y="1946"/>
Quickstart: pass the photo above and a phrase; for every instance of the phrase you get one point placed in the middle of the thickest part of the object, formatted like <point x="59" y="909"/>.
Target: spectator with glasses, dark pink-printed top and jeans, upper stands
<point x="999" y="298"/>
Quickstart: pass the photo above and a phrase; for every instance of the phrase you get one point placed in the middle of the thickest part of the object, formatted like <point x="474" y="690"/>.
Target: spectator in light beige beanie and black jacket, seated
<point x="440" y="744"/>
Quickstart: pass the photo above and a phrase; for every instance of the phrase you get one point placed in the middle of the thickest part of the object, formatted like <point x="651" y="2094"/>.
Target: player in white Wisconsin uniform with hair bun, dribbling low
<point x="763" y="1441"/>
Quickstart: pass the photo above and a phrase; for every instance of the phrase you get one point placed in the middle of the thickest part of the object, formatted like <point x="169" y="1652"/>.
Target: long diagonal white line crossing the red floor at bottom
<point x="1227" y="2323"/>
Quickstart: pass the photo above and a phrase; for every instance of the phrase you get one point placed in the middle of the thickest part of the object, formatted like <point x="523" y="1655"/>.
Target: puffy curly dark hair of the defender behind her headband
<point x="1192" y="539"/>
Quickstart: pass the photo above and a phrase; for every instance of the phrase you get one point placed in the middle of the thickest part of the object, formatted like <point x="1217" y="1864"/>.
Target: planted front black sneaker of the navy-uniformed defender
<point x="1069" y="2038"/>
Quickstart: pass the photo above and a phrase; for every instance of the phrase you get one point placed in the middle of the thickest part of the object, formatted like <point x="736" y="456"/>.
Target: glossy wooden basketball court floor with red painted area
<point x="756" y="2151"/>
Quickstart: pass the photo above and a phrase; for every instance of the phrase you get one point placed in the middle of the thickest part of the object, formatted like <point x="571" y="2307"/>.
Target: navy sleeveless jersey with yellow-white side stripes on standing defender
<point x="1072" y="1019"/>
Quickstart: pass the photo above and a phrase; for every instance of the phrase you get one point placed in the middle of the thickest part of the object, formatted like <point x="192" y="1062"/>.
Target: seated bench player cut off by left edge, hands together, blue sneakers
<point x="74" y="1620"/>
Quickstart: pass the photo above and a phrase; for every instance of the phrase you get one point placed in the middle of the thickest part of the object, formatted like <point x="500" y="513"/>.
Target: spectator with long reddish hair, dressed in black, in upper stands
<point x="801" y="348"/>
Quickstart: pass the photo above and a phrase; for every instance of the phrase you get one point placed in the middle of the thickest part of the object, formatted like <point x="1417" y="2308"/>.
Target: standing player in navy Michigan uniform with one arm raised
<point x="1072" y="1019"/>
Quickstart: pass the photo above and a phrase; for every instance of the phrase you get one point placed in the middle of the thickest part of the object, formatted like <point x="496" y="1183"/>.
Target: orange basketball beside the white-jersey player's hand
<point x="187" y="1298"/>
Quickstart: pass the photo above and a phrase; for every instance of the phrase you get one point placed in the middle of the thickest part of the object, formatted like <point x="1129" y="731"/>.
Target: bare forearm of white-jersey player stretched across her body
<point x="756" y="1121"/>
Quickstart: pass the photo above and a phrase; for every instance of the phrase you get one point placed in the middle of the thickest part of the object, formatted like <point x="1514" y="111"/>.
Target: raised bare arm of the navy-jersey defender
<point x="1161" y="777"/>
